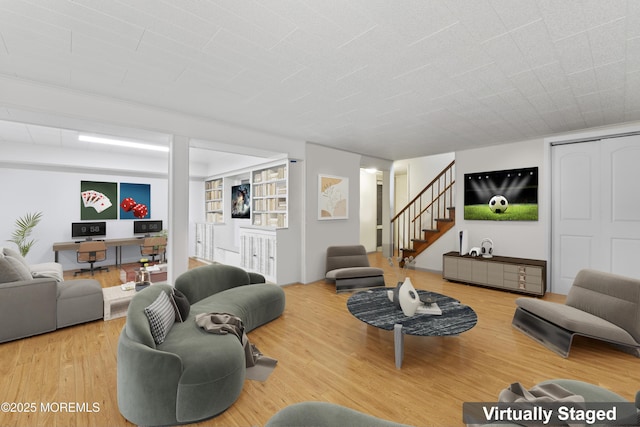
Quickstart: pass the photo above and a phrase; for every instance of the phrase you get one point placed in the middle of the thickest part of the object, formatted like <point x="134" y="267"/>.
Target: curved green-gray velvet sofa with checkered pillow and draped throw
<point x="192" y="375"/>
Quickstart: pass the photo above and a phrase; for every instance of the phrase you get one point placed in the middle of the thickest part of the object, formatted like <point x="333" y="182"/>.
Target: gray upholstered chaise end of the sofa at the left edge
<point x="79" y="301"/>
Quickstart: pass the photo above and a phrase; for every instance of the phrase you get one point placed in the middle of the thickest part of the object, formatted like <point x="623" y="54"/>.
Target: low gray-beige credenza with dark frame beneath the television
<point x="527" y="276"/>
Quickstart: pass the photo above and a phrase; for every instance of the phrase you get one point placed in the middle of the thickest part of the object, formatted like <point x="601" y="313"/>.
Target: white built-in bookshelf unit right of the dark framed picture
<point x="270" y="196"/>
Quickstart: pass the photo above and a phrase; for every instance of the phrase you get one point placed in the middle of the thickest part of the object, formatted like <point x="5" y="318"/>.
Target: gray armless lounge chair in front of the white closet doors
<point x="599" y="305"/>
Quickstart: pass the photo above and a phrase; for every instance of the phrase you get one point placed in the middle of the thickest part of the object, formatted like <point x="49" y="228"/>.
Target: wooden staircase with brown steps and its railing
<point x="425" y="218"/>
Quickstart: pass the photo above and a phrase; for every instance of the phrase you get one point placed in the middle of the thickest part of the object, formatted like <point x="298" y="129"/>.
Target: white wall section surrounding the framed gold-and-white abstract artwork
<point x="320" y="234"/>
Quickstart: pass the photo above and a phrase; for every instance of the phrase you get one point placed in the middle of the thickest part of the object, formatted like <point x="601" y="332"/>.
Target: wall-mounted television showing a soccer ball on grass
<point x="506" y="195"/>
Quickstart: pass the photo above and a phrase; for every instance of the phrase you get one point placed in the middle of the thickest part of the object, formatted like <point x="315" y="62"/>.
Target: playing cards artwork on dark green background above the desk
<point x="97" y="200"/>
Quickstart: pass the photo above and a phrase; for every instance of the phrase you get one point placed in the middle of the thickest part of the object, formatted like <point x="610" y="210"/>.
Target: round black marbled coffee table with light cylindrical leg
<point x="374" y="308"/>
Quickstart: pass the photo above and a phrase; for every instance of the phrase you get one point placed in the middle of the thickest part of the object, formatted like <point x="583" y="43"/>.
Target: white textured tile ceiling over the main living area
<point x="392" y="79"/>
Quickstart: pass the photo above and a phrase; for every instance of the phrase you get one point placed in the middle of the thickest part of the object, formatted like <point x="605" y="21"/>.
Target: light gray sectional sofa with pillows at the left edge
<point x="35" y="299"/>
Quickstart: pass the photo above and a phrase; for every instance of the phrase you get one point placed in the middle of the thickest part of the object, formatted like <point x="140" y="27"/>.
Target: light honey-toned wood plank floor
<point x="323" y="354"/>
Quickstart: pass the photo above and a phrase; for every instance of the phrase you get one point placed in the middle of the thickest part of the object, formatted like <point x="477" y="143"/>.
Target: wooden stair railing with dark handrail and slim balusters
<point x="423" y="211"/>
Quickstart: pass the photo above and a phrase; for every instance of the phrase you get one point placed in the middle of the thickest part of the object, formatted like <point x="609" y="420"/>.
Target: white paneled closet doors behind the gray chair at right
<point x="595" y="209"/>
